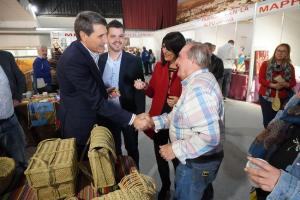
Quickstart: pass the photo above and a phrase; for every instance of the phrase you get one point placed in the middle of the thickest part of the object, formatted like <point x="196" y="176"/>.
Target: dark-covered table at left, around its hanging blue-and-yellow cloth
<point x="35" y="134"/>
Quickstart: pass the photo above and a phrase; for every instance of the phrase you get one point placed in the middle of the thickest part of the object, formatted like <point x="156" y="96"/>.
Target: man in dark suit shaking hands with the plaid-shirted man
<point x="82" y="91"/>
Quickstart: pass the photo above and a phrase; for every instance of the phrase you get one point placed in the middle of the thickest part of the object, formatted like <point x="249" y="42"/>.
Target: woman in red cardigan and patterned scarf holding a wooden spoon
<point x="276" y="78"/>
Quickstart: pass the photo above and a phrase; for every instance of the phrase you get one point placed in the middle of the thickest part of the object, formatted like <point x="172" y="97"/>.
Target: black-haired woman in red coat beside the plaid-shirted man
<point x="164" y="88"/>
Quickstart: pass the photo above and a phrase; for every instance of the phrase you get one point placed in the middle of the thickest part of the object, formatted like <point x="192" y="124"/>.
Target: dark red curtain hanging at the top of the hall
<point x="149" y="14"/>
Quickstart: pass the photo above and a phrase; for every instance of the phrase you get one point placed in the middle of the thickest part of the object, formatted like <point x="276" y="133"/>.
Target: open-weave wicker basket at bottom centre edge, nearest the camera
<point x="134" y="186"/>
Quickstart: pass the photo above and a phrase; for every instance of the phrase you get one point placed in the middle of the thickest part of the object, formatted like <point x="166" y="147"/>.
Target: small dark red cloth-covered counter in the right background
<point x="238" y="86"/>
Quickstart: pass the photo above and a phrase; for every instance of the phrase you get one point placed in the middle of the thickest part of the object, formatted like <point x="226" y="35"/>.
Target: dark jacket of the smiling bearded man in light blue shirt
<point x="131" y="99"/>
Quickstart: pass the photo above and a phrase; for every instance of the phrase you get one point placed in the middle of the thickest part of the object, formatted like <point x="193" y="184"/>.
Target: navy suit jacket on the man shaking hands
<point x="83" y="95"/>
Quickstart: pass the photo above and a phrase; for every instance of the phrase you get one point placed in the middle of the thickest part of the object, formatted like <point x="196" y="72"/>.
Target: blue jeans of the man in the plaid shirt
<point x="192" y="179"/>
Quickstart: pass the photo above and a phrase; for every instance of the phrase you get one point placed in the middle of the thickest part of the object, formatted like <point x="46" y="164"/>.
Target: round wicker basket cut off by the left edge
<point x="7" y="169"/>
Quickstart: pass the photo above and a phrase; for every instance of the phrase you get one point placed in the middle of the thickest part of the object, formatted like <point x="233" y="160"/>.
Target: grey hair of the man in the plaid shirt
<point x="199" y="53"/>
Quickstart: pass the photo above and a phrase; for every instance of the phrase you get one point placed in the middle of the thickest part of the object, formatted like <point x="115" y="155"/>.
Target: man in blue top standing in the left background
<point x="41" y="72"/>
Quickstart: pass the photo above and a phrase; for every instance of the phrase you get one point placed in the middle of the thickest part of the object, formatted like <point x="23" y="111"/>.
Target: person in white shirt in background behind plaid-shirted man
<point x="229" y="57"/>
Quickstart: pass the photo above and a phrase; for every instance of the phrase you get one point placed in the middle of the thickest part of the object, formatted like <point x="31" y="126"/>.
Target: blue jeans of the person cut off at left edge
<point x="12" y="141"/>
